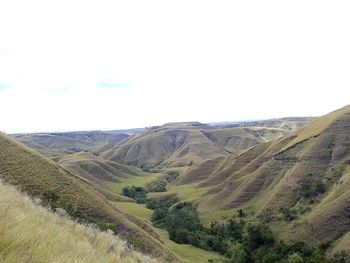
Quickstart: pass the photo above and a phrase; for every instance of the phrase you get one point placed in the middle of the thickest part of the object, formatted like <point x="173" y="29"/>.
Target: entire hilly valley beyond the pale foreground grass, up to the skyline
<point x="284" y="179"/>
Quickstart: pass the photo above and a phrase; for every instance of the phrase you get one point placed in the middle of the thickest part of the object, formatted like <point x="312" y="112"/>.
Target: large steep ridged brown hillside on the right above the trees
<point x="308" y="171"/>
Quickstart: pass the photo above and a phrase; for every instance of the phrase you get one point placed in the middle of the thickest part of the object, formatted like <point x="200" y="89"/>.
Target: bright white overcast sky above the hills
<point x="86" y="65"/>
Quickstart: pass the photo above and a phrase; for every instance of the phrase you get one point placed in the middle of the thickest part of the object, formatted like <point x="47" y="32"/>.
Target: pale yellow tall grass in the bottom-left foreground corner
<point x="30" y="233"/>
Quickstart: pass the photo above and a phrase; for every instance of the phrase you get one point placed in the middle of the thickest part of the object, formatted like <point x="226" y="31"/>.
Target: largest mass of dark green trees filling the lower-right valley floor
<point x="239" y="241"/>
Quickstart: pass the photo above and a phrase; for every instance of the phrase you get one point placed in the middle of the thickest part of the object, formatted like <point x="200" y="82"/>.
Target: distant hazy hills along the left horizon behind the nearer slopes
<point x="58" y="144"/>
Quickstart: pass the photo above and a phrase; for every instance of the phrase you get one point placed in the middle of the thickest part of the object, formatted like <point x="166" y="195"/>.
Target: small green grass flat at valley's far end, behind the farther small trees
<point x="134" y="180"/>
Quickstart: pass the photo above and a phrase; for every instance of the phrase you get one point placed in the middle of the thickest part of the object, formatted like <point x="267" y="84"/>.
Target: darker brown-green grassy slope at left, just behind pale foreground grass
<point x="40" y="177"/>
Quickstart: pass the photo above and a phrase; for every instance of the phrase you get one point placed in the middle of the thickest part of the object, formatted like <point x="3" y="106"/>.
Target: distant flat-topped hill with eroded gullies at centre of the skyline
<point x="183" y="144"/>
